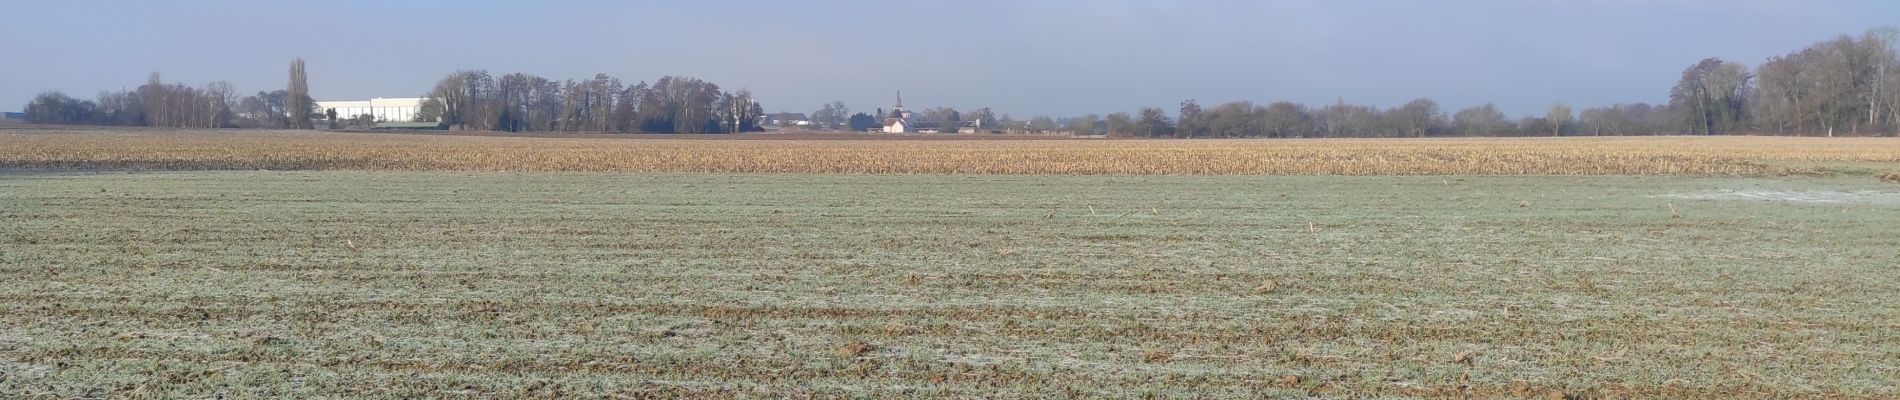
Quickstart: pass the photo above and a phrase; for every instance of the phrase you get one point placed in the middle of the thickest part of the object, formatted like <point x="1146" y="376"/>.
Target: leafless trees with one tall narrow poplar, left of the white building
<point x="178" y="105"/>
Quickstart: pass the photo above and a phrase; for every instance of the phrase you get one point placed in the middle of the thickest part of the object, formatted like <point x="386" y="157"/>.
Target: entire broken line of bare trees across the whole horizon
<point x="1844" y="86"/>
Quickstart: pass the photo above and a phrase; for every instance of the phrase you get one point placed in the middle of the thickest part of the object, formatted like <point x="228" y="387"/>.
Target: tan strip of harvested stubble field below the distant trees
<point x="292" y="151"/>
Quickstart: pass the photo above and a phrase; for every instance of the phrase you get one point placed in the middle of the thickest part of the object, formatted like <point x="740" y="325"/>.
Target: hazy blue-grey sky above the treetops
<point x="1052" y="58"/>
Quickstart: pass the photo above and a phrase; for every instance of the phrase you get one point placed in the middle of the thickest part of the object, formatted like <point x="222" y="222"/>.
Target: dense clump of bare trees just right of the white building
<point x="525" y="103"/>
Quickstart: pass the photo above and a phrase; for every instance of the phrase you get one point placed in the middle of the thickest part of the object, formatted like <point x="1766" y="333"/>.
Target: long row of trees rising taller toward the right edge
<point x="1844" y="86"/>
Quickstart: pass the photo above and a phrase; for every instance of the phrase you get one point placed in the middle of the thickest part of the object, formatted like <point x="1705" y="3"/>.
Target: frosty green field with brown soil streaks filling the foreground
<point x="503" y="285"/>
